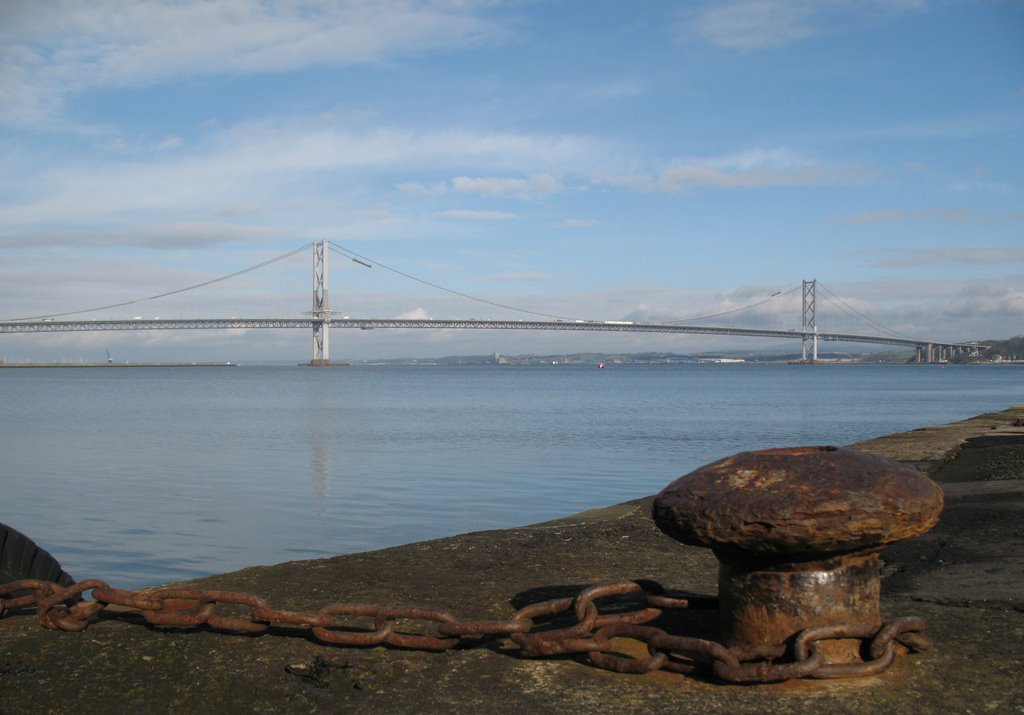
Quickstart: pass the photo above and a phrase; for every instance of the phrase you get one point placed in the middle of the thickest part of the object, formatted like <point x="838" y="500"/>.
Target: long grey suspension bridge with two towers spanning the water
<point x="321" y="320"/>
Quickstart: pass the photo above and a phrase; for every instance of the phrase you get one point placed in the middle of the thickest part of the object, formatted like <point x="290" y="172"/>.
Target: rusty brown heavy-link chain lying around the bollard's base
<point x="599" y="636"/>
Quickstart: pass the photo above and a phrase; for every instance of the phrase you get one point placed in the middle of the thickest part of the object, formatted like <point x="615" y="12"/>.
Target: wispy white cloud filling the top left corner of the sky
<point x="54" y="49"/>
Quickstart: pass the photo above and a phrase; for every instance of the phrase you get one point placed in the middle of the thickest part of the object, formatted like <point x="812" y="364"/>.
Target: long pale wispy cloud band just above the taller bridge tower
<point x="255" y="163"/>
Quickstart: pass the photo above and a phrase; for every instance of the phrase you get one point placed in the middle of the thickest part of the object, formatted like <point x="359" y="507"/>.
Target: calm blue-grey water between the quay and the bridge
<point x="147" y="476"/>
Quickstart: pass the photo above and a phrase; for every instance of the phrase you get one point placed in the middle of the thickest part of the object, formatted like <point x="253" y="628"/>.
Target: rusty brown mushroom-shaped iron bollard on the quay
<point x="798" y="533"/>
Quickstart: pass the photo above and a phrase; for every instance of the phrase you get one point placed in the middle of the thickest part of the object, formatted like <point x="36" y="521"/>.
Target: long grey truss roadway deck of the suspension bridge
<point x="54" y="326"/>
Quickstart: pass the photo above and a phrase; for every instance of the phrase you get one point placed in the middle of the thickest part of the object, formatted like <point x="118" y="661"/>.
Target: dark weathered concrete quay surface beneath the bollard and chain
<point x="965" y="578"/>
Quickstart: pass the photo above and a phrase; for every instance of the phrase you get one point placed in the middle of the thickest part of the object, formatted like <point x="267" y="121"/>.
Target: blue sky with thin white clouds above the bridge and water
<point x="599" y="160"/>
